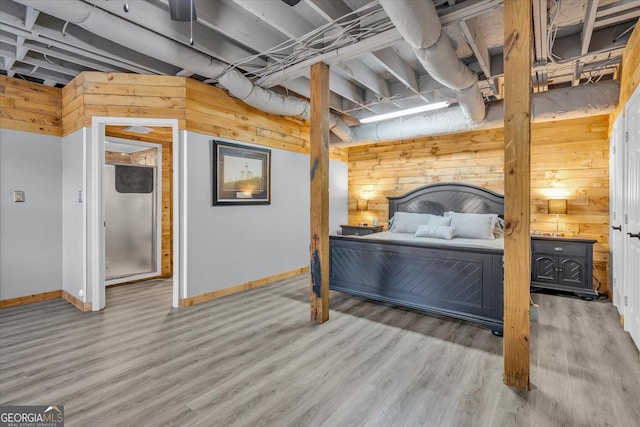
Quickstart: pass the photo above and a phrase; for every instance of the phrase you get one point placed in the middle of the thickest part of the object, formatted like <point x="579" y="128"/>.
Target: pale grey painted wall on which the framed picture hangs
<point x="231" y="245"/>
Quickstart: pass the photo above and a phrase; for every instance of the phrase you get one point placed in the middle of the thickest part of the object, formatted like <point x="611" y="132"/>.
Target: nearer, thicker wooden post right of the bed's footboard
<point x="517" y="183"/>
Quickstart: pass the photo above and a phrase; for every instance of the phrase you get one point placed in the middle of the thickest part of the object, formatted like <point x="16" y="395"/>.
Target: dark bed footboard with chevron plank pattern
<point x="464" y="283"/>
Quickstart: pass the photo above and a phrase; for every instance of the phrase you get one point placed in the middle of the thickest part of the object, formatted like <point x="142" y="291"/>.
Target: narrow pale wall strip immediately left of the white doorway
<point x="73" y="219"/>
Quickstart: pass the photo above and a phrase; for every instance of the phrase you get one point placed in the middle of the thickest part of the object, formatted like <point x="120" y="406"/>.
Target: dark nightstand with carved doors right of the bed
<point x="563" y="264"/>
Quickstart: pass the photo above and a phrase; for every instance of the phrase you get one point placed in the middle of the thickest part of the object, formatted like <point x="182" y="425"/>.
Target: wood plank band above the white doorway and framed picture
<point x="199" y="107"/>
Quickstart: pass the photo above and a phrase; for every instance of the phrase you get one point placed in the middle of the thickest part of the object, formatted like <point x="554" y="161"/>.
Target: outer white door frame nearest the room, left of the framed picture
<point x="95" y="199"/>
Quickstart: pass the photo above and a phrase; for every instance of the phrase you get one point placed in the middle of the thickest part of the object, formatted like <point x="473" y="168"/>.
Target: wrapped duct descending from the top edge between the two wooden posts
<point x="419" y="25"/>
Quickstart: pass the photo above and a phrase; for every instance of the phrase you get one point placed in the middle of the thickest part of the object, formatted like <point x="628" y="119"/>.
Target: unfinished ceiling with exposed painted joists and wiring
<point x="271" y="43"/>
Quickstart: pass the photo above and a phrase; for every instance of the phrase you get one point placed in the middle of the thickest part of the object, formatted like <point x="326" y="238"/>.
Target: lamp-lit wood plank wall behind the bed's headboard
<point x="569" y="159"/>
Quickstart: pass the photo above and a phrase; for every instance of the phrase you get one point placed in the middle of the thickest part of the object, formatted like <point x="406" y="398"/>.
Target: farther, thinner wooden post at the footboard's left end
<point x="319" y="156"/>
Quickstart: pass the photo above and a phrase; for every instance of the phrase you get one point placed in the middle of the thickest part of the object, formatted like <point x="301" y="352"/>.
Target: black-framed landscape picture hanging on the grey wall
<point x="241" y="174"/>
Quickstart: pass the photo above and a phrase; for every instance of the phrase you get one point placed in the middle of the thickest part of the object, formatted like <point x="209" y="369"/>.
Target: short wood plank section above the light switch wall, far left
<point x="30" y="107"/>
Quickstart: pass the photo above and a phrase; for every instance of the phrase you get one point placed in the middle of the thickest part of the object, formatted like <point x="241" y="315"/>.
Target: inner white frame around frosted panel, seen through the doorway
<point x="157" y="212"/>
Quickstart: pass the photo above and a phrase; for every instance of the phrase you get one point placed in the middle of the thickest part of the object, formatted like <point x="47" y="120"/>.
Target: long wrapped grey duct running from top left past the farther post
<point x="120" y="31"/>
